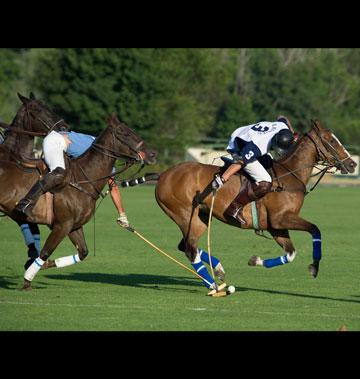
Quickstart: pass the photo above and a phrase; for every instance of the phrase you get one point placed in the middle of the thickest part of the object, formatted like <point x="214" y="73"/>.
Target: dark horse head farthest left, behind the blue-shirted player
<point x="35" y="116"/>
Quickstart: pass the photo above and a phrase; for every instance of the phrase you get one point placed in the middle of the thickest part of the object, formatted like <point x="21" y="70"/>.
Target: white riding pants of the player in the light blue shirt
<point x="54" y="146"/>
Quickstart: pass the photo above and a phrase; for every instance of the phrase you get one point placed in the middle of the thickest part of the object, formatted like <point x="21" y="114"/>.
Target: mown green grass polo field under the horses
<point x="127" y="286"/>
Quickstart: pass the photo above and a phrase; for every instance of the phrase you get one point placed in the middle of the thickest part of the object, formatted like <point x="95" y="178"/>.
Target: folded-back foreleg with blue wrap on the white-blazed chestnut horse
<point x="283" y="239"/>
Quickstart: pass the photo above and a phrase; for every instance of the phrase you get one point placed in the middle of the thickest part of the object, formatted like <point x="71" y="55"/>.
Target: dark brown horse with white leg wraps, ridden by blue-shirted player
<point x="75" y="203"/>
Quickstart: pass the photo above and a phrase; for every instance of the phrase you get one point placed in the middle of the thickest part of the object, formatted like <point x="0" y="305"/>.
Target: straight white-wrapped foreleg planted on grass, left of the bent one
<point x="55" y="237"/>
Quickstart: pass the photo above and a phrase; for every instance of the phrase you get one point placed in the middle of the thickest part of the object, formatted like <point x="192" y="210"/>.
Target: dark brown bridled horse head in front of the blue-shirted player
<point x="130" y="144"/>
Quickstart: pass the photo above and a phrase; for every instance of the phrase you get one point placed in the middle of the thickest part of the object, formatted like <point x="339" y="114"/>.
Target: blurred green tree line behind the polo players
<point x="177" y="97"/>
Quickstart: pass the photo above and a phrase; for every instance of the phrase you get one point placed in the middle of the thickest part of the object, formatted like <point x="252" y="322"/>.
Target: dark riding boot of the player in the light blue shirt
<point x="49" y="182"/>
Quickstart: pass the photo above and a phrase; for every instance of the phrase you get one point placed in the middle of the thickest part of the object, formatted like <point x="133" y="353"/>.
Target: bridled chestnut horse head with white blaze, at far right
<point x="330" y="149"/>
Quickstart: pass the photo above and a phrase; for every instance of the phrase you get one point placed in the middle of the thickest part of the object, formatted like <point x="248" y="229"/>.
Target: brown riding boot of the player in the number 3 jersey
<point x="250" y="192"/>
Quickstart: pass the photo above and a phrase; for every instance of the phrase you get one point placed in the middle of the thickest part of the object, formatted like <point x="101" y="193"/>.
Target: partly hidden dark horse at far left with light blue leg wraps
<point x="32" y="119"/>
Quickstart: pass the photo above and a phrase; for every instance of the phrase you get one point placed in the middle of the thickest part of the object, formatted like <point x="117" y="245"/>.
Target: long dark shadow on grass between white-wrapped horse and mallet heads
<point x="153" y="282"/>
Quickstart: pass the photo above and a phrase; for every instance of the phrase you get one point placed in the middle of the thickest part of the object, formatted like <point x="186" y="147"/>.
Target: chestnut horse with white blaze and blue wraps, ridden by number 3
<point x="184" y="194"/>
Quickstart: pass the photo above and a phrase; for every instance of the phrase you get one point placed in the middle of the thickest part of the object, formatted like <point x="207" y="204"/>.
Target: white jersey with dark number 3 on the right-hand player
<point x="259" y="134"/>
